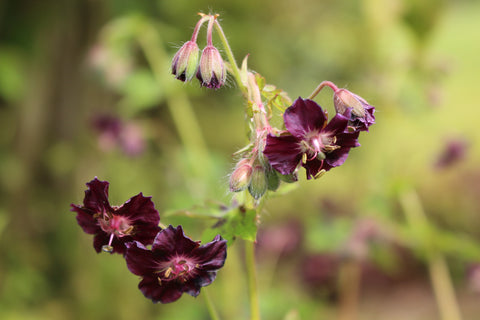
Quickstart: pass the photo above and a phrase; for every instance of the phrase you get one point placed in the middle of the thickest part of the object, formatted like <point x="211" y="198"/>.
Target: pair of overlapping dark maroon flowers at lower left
<point x="174" y="265"/>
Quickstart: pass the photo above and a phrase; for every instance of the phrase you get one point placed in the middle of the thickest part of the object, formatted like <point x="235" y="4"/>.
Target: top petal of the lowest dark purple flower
<point x="173" y="241"/>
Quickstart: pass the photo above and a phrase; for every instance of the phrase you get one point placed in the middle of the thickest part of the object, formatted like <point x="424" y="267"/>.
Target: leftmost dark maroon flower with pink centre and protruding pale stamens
<point x="137" y="219"/>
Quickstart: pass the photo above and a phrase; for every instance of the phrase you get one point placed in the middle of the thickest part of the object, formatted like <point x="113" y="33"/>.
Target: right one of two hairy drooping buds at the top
<point x="211" y="71"/>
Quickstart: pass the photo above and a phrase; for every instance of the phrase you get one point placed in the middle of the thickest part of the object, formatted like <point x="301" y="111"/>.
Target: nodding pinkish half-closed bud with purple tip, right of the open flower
<point x="361" y="113"/>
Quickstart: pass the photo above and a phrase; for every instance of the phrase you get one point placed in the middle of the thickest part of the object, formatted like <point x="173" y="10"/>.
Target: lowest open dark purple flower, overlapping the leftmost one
<point x="175" y="264"/>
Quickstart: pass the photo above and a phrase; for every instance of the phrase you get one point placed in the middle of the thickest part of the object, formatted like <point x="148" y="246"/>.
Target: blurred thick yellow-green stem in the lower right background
<point x="437" y="266"/>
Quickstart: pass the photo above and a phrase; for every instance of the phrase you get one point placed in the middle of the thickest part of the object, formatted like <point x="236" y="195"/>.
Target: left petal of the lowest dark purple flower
<point x="140" y="260"/>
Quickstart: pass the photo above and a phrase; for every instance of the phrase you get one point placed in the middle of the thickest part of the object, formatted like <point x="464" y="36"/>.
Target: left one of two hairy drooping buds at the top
<point x="185" y="61"/>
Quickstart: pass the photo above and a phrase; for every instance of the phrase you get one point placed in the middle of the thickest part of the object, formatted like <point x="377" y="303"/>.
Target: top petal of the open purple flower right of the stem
<point x="304" y="116"/>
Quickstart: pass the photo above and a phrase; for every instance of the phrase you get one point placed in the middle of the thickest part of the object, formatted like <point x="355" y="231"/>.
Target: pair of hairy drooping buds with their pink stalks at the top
<point x="209" y="68"/>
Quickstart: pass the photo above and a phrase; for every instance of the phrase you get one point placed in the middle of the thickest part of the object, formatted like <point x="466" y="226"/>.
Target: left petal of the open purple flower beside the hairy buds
<point x="283" y="153"/>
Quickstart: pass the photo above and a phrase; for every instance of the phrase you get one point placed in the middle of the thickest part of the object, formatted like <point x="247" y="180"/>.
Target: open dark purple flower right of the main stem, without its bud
<point x="317" y="145"/>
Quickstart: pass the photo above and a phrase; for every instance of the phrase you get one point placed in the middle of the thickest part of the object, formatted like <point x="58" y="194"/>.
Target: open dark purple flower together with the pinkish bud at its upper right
<point x="314" y="142"/>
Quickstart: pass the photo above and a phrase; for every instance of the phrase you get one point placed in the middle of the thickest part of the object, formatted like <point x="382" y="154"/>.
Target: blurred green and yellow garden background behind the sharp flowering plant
<point x="85" y="91"/>
